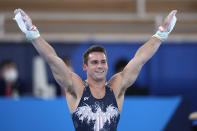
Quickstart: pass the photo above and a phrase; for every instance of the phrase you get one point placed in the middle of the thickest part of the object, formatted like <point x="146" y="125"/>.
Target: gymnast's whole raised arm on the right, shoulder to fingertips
<point x="129" y="74"/>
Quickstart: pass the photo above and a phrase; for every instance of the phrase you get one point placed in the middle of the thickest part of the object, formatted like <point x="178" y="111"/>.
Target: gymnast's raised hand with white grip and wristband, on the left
<point x="25" y="24"/>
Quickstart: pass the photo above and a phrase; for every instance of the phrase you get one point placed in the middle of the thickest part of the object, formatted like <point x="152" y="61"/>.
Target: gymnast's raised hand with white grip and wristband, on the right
<point x="167" y="26"/>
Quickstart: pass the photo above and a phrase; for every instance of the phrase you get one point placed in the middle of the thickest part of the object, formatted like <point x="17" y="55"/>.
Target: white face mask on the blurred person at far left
<point x="11" y="75"/>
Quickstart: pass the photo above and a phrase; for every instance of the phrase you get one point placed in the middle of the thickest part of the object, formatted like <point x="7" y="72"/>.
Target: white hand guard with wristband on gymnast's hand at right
<point x="162" y="33"/>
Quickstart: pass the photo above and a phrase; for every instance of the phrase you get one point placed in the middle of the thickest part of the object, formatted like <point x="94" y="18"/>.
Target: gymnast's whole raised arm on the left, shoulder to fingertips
<point x="60" y="71"/>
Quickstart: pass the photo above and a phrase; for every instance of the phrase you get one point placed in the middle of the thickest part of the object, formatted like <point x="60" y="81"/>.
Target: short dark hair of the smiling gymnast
<point x="94" y="48"/>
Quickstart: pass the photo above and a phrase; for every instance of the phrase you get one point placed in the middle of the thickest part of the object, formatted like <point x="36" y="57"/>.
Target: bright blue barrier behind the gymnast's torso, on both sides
<point x="30" y="114"/>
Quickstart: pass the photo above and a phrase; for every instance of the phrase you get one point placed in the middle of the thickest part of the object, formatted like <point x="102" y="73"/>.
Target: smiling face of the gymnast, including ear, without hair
<point x="97" y="66"/>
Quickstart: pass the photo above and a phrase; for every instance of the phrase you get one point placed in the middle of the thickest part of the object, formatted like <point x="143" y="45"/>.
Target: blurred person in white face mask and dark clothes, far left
<point x="10" y="85"/>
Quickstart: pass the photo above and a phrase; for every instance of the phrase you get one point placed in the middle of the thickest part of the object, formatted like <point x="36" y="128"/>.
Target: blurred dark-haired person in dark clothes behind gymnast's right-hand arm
<point x="134" y="89"/>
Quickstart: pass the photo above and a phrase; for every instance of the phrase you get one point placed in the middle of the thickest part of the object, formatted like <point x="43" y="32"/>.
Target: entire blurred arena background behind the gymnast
<point x="162" y="98"/>
